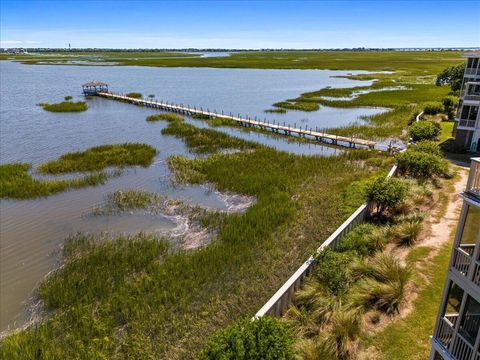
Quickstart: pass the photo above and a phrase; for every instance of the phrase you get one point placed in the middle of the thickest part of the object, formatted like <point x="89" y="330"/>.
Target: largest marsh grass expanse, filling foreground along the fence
<point x="120" y="298"/>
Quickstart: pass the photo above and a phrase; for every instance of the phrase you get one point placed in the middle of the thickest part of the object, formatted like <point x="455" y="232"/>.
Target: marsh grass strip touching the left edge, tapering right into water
<point x="17" y="183"/>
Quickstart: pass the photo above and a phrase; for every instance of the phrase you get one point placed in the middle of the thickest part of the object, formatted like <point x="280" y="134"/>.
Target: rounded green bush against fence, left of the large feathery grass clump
<point x="333" y="269"/>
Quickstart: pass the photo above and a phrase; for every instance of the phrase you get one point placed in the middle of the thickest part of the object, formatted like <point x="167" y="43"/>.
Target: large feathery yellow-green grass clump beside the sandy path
<point x="383" y="279"/>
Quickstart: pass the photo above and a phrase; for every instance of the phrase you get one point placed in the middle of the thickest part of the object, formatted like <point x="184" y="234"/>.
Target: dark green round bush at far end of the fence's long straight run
<point x="386" y="193"/>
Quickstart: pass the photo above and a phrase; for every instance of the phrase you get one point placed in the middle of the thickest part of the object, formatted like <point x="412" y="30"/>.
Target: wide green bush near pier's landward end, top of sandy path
<point x="421" y="164"/>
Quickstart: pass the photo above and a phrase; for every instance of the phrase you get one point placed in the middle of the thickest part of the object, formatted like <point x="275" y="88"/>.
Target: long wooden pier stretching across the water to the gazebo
<point x="351" y="142"/>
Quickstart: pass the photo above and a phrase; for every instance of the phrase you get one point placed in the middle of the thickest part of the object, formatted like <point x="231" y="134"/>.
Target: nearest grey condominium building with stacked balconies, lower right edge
<point x="457" y="329"/>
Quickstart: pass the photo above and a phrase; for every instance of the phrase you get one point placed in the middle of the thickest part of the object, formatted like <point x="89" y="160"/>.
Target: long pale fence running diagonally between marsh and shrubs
<point x="279" y="302"/>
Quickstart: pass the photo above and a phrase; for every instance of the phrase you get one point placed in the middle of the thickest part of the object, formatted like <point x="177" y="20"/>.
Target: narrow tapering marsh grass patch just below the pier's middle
<point x="202" y="141"/>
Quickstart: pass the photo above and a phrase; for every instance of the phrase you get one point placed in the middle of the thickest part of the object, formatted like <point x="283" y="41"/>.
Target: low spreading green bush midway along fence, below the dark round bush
<point x="364" y="240"/>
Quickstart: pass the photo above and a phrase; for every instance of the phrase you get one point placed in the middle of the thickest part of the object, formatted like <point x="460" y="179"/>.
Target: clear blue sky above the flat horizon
<point x="239" y="24"/>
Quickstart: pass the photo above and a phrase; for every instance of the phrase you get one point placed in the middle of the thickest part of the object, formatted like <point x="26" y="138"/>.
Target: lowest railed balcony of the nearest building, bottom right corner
<point x="455" y="344"/>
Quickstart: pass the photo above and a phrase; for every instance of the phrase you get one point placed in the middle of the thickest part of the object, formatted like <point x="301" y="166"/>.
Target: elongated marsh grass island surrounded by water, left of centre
<point x="100" y="157"/>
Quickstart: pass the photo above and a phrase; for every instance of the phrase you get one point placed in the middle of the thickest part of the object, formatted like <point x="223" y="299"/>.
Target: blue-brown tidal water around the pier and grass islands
<point x="32" y="231"/>
